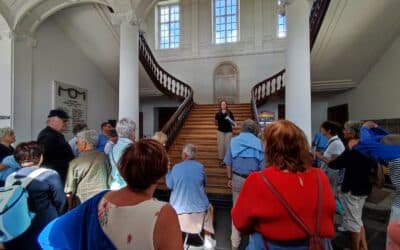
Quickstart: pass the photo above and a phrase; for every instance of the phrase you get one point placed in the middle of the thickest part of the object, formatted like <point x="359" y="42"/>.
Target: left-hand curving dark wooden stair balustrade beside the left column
<point x="168" y="85"/>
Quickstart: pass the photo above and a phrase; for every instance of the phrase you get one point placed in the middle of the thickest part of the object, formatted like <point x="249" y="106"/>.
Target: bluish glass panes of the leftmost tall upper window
<point x="169" y="27"/>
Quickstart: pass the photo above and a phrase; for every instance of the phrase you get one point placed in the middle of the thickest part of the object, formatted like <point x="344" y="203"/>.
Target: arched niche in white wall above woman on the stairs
<point x="226" y="83"/>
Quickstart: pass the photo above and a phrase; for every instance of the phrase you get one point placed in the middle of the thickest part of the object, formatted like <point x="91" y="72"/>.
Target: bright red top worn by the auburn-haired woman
<point x="257" y="209"/>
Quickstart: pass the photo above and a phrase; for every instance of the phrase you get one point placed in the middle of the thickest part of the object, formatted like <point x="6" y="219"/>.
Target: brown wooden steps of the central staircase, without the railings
<point x="199" y="129"/>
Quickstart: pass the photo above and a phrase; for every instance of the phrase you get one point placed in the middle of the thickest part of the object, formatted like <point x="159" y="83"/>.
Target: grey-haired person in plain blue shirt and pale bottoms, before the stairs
<point x="187" y="180"/>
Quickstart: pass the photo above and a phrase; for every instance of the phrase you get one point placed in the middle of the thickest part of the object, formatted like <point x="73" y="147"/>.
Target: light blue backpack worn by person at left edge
<point x="15" y="217"/>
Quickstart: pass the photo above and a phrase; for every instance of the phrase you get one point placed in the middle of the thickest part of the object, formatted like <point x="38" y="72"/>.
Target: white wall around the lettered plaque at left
<point x="56" y="58"/>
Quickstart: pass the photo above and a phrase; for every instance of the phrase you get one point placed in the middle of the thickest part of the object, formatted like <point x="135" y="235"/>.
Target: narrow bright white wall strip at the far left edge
<point x="5" y="79"/>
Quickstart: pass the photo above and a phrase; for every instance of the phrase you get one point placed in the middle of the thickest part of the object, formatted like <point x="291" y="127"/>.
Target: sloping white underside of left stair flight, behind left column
<point x="89" y="27"/>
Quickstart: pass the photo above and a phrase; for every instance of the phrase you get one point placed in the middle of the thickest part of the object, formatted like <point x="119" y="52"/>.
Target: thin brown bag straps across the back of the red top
<point x="315" y="241"/>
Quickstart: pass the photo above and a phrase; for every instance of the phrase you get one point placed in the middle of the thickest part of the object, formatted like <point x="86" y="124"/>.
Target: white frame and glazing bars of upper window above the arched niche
<point x="214" y="24"/>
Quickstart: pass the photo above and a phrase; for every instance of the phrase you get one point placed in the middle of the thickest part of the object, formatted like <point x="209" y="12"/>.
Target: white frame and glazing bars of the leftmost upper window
<point x="169" y="22"/>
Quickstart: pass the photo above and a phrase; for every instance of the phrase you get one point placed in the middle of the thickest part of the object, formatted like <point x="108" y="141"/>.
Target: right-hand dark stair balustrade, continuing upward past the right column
<point x="274" y="85"/>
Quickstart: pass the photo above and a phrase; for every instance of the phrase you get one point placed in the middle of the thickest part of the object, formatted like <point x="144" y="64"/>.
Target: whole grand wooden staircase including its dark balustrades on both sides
<point x="194" y="123"/>
